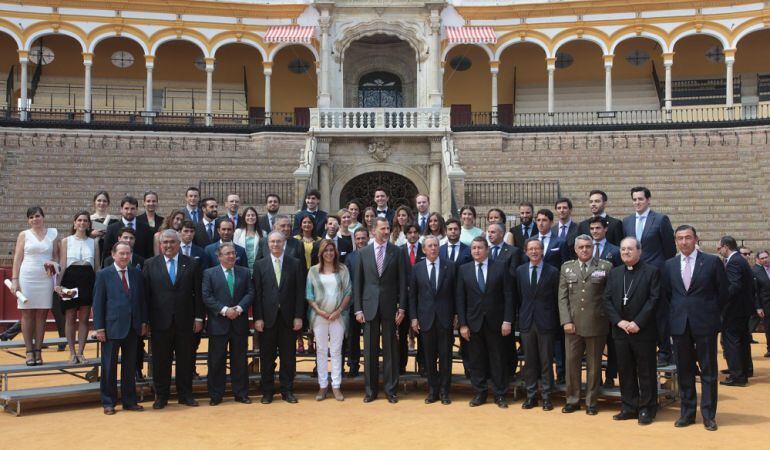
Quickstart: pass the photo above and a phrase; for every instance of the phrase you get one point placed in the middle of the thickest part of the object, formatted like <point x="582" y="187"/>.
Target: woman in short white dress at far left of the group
<point x="34" y="272"/>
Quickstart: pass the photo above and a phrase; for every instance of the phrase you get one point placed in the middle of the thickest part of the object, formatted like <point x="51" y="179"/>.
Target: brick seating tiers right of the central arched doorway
<point x="712" y="179"/>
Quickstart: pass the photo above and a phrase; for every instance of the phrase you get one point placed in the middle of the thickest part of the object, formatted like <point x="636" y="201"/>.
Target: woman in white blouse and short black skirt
<point x="76" y="256"/>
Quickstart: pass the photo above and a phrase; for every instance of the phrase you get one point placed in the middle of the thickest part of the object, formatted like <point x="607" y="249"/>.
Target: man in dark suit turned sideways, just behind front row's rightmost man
<point x="736" y="338"/>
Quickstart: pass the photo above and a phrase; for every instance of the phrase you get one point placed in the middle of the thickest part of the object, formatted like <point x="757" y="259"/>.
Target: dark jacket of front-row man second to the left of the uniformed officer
<point x="495" y="304"/>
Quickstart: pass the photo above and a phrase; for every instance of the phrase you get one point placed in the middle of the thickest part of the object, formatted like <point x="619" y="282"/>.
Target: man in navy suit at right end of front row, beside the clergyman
<point x="695" y="285"/>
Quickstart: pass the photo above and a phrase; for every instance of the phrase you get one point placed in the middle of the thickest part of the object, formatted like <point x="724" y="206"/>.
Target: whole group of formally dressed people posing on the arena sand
<point x="565" y="291"/>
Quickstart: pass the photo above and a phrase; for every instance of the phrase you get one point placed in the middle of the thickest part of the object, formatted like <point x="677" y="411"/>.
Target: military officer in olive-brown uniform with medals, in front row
<point x="581" y="286"/>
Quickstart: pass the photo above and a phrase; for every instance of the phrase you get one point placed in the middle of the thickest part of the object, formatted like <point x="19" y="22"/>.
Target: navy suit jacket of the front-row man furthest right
<point x="701" y="305"/>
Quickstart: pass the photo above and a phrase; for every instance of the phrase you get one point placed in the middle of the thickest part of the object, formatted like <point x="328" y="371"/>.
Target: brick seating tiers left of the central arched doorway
<point x="61" y="170"/>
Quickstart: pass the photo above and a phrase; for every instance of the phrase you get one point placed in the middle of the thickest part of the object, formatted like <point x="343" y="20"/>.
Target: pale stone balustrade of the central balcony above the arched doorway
<point x="372" y="120"/>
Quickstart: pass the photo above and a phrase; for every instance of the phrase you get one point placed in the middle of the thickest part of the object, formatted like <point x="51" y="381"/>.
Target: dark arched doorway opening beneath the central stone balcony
<point x="402" y="190"/>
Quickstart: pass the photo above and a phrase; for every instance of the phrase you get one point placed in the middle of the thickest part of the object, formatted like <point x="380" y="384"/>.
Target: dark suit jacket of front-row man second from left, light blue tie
<point x="179" y="303"/>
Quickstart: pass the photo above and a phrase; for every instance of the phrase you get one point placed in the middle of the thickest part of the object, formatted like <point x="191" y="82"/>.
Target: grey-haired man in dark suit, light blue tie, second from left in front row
<point x="172" y="284"/>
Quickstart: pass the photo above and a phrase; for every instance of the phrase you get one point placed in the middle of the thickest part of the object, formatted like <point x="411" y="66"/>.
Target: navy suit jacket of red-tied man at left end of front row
<point x="116" y="311"/>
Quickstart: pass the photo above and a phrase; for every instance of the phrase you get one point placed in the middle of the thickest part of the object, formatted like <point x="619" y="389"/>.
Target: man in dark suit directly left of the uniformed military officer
<point x="538" y="313"/>
